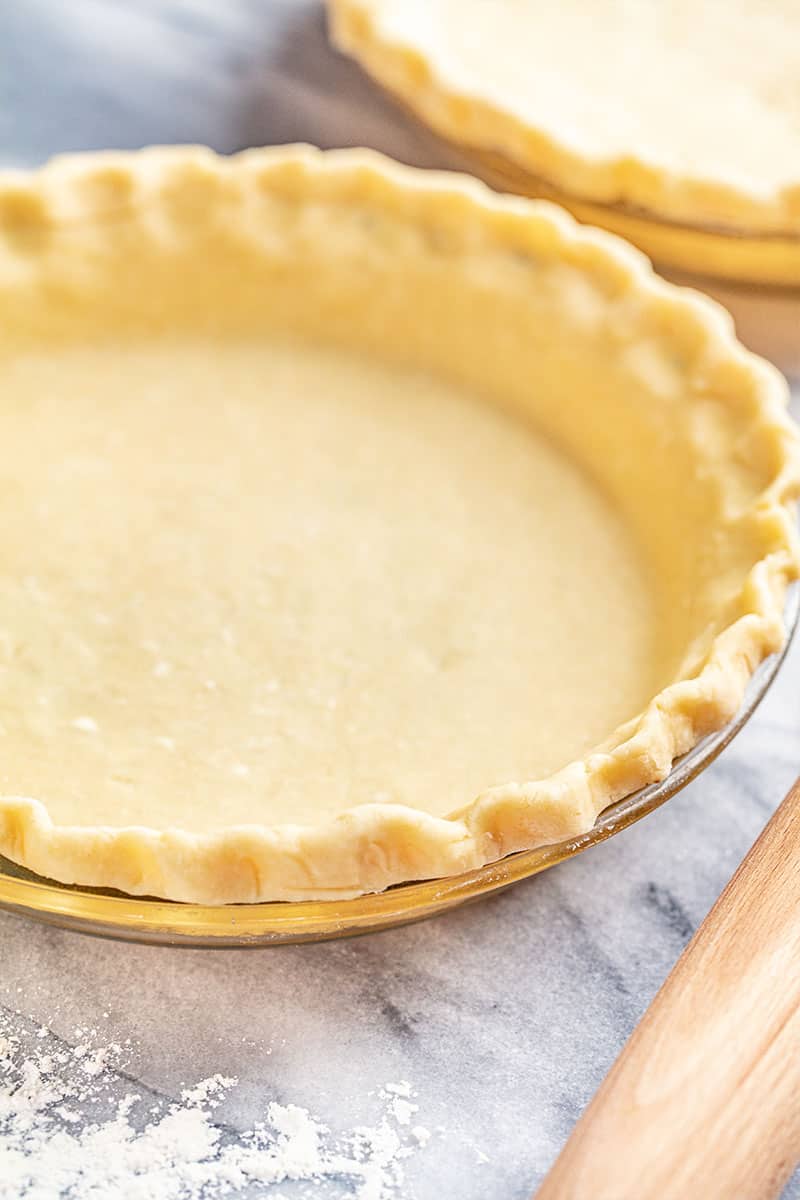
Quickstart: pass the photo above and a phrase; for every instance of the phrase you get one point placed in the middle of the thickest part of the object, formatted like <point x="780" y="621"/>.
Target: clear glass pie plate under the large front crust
<point x="107" y="914"/>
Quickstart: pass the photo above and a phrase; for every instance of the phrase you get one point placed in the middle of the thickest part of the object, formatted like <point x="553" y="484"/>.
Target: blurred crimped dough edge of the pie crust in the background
<point x="474" y="123"/>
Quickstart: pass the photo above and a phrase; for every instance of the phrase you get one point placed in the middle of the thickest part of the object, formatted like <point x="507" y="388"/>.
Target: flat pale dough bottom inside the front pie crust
<point x="251" y="583"/>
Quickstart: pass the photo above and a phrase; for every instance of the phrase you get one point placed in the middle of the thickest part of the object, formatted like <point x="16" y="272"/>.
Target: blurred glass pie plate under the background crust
<point x="755" y="277"/>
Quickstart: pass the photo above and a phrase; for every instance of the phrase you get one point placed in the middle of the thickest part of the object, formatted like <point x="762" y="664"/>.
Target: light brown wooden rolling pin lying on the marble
<point x="705" y="1100"/>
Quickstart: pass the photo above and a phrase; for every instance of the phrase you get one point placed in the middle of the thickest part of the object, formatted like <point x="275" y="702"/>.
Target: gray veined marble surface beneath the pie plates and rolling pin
<point x="504" y="1016"/>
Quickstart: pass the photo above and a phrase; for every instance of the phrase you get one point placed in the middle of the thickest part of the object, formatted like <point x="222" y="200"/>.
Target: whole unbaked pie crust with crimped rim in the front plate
<point x="362" y="526"/>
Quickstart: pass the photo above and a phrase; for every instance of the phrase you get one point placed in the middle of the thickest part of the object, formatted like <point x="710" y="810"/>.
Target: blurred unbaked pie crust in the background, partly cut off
<point x="688" y="112"/>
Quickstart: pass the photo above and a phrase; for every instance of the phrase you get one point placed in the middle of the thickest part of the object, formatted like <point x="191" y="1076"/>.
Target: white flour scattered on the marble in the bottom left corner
<point x="74" y="1129"/>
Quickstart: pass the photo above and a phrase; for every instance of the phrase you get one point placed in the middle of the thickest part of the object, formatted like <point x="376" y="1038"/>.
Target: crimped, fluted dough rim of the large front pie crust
<point x="375" y="847"/>
